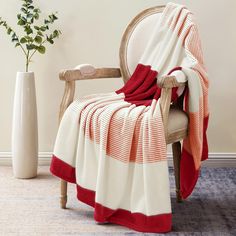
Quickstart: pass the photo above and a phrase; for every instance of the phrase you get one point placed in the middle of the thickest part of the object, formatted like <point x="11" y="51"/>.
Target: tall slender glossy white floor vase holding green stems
<point x="25" y="127"/>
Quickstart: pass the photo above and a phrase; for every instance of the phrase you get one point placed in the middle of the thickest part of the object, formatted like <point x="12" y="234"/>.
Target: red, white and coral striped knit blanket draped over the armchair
<point x="112" y="146"/>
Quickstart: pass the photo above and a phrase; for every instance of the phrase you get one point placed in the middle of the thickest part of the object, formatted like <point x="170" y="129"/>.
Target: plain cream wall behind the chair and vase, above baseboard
<point x="91" y="34"/>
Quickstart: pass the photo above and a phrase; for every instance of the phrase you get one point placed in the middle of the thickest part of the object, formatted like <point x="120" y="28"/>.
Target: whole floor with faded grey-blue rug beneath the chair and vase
<point x="31" y="207"/>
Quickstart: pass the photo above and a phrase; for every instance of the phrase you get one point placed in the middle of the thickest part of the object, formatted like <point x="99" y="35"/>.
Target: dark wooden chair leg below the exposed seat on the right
<point x="176" y="148"/>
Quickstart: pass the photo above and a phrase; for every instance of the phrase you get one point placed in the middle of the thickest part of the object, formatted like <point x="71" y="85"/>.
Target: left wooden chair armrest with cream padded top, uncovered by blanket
<point x="85" y="72"/>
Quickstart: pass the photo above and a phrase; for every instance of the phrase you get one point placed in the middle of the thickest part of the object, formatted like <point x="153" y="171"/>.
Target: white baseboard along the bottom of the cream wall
<point x="214" y="160"/>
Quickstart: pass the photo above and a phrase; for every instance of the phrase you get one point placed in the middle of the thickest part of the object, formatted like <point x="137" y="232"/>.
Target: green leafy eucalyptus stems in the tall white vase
<point x="36" y="35"/>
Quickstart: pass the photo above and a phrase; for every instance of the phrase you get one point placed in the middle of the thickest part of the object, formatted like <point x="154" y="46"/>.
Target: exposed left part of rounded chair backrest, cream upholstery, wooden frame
<point x="135" y="39"/>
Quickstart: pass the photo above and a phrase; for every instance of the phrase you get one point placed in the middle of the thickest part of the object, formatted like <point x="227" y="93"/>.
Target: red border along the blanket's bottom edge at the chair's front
<point x="137" y="221"/>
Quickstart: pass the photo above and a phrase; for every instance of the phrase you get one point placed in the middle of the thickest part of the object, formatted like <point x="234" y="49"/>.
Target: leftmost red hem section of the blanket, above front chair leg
<point x="62" y="170"/>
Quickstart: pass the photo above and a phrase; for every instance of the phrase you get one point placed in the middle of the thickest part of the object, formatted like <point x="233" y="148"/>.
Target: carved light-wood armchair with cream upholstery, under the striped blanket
<point x="133" y="42"/>
